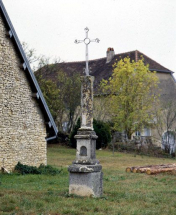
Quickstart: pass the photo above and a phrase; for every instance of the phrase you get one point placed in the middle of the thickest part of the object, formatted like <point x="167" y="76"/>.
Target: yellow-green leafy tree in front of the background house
<point x="131" y="91"/>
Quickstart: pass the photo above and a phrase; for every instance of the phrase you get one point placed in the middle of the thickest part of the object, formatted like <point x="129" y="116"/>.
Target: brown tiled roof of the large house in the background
<point x="99" y="68"/>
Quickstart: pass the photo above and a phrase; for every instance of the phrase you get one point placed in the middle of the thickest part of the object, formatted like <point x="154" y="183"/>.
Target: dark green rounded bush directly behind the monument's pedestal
<point x="101" y="129"/>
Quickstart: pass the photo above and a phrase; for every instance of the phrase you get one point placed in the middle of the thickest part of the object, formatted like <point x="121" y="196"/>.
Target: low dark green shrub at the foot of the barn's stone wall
<point x="42" y="169"/>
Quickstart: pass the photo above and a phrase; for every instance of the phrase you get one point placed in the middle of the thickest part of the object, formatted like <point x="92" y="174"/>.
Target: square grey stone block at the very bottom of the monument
<point x="86" y="183"/>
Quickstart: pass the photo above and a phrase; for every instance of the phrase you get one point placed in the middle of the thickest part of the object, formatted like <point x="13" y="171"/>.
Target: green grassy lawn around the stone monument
<point x="124" y="193"/>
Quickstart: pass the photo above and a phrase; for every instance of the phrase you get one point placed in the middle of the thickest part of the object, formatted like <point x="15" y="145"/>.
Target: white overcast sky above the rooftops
<point x="51" y="26"/>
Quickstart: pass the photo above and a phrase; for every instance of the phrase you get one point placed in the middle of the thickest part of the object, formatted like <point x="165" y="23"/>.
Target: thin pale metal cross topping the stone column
<point x="87" y="42"/>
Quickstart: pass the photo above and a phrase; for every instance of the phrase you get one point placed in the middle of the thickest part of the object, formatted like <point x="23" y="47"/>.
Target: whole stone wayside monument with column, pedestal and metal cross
<point x="85" y="172"/>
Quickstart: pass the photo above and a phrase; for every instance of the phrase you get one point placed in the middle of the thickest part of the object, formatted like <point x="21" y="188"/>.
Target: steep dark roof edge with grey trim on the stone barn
<point x="50" y="125"/>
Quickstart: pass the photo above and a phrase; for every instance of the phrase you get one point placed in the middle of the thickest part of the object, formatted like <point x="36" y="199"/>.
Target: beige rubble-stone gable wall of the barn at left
<point x="22" y="128"/>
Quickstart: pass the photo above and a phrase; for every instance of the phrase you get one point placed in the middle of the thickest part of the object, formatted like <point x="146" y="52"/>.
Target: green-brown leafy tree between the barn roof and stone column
<point x="62" y="96"/>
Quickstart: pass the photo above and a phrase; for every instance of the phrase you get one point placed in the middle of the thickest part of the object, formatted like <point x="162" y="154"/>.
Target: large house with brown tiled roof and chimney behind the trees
<point x="102" y="69"/>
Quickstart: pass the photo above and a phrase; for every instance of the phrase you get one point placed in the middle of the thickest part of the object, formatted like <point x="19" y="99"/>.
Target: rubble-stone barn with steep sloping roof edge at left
<point x="25" y="120"/>
